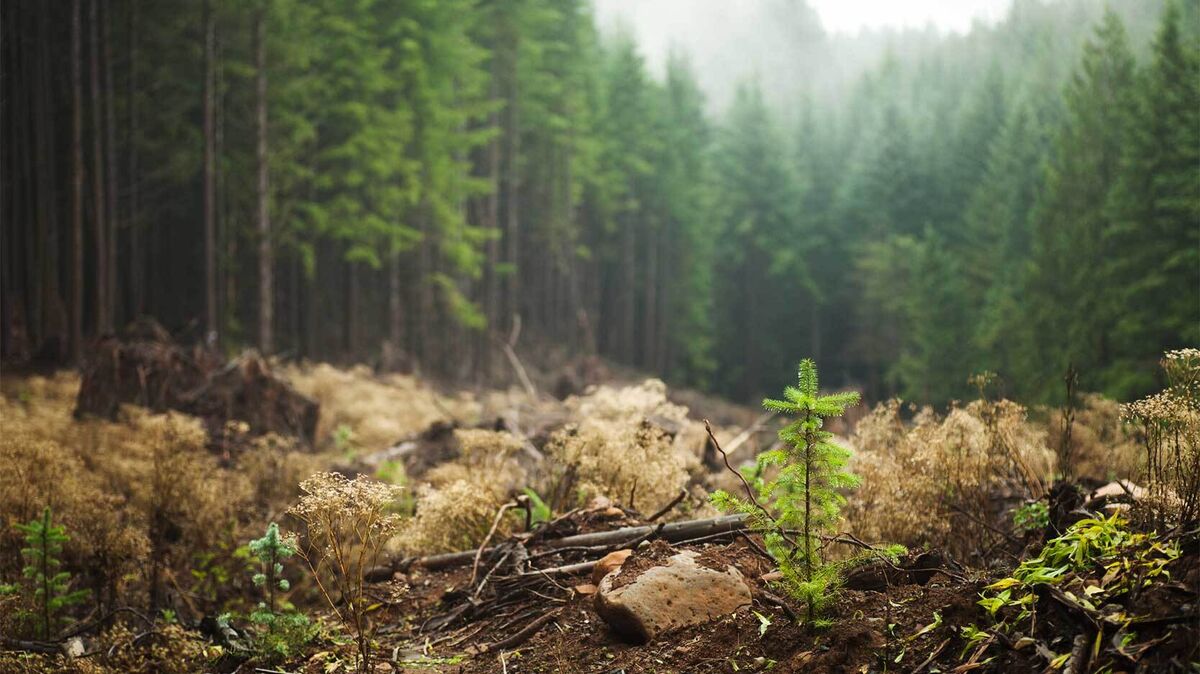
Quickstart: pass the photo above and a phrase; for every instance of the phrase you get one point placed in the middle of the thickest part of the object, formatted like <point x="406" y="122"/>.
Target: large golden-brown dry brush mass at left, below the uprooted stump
<point x="143" y="500"/>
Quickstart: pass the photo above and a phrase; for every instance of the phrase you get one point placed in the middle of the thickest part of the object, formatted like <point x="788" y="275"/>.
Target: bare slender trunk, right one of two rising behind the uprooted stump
<point x="266" y="261"/>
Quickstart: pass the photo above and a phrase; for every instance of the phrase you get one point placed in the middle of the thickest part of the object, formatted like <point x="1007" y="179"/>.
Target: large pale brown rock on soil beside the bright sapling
<point x="675" y="594"/>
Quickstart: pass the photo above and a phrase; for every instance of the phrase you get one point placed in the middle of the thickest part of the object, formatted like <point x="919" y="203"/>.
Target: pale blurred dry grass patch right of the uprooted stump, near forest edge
<point x="379" y="410"/>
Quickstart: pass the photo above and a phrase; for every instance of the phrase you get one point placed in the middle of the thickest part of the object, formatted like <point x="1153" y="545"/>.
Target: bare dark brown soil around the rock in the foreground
<point x="872" y="631"/>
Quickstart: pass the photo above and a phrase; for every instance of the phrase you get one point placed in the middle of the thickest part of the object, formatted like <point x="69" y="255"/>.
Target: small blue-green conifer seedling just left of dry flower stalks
<point x="281" y="631"/>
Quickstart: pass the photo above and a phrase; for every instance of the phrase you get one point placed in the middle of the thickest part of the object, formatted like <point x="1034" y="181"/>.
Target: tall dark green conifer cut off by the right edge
<point x="1155" y="210"/>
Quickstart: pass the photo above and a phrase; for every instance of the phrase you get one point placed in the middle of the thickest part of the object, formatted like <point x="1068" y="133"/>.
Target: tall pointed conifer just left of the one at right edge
<point x="1071" y="304"/>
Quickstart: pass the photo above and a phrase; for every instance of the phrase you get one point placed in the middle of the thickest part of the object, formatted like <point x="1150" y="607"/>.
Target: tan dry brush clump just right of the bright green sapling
<point x="943" y="480"/>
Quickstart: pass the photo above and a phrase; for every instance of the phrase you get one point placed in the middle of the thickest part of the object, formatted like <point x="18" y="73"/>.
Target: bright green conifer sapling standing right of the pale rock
<point x="806" y="495"/>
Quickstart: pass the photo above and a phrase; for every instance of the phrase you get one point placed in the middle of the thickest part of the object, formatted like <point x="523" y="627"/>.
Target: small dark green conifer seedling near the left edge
<point x="47" y="589"/>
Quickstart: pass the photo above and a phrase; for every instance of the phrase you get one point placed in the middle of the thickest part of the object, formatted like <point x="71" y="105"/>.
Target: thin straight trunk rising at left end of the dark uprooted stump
<point x="76" y="184"/>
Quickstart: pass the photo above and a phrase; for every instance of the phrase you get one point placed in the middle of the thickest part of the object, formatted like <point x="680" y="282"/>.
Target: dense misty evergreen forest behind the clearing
<point x="399" y="182"/>
